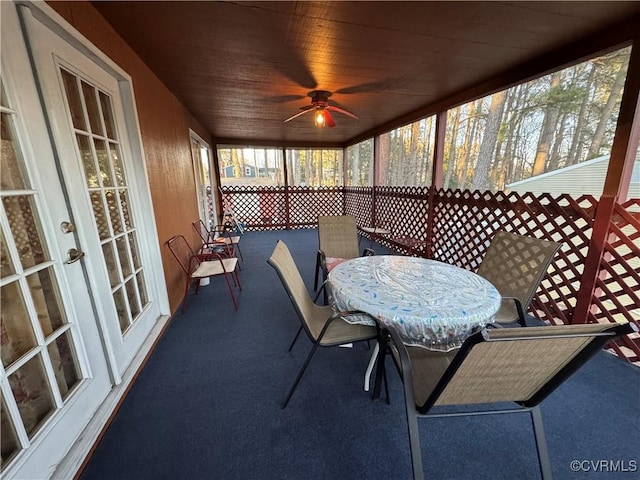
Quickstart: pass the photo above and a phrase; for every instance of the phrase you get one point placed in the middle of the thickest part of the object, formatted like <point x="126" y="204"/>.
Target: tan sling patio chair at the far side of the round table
<point x="337" y="242"/>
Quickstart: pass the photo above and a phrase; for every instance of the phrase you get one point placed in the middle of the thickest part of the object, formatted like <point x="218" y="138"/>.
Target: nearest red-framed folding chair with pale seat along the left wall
<point x="199" y="266"/>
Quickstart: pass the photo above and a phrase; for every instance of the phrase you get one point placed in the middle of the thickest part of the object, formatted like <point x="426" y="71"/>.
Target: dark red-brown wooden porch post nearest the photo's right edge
<point x="623" y="152"/>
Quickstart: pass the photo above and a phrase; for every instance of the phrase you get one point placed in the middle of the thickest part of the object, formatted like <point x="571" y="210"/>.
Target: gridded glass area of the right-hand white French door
<point x="110" y="199"/>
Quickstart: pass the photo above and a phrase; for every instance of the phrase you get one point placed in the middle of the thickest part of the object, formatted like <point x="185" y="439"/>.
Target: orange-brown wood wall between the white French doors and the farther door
<point x="164" y="124"/>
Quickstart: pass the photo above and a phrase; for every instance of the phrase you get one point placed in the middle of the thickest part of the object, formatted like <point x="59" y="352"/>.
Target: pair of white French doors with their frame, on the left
<point x="81" y="282"/>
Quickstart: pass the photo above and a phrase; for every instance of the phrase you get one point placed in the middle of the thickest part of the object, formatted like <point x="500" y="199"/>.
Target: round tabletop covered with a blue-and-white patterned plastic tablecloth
<point x="429" y="303"/>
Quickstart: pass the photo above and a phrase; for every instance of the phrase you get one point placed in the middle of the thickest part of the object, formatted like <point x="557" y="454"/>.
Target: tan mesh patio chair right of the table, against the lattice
<point x="515" y="265"/>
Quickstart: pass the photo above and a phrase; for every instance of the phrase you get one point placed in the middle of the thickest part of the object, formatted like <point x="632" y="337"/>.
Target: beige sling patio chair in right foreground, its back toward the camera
<point x="493" y="366"/>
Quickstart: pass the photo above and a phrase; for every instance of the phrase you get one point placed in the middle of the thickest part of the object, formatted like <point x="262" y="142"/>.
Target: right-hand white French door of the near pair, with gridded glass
<point x="84" y="102"/>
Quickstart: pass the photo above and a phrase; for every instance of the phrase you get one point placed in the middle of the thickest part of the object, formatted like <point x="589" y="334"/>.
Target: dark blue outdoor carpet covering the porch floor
<point x="207" y="404"/>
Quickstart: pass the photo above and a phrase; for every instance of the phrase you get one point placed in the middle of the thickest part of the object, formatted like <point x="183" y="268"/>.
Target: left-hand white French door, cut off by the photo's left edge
<point x="54" y="372"/>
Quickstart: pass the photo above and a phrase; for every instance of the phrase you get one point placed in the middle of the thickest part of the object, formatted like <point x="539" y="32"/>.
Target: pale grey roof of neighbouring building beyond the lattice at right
<point x="586" y="178"/>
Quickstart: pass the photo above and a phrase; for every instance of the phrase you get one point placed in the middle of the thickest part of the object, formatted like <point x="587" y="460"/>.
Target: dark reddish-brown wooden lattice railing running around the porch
<point x="457" y="226"/>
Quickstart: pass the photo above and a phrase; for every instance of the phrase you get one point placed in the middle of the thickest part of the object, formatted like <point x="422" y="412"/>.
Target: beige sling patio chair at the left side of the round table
<point x="323" y="327"/>
